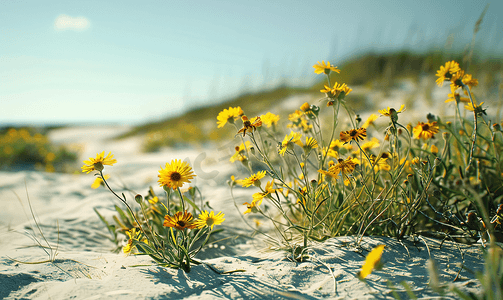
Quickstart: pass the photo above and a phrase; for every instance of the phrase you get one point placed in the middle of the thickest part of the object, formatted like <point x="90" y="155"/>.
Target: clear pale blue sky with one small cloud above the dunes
<point x="129" y="62"/>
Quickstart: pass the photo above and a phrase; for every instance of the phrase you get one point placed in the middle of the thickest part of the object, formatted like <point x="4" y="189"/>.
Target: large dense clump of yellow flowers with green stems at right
<point x="331" y="174"/>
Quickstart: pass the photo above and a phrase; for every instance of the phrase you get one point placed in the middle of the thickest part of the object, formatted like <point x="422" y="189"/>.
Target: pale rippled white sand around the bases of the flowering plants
<point x="85" y="267"/>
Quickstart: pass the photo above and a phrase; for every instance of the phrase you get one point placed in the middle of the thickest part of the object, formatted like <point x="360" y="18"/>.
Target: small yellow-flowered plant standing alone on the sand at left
<point x="163" y="228"/>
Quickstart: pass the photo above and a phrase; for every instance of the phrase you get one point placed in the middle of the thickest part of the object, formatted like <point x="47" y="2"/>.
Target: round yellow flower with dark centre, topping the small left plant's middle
<point x="175" y="174"/>
